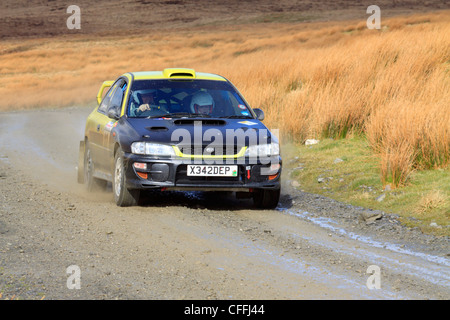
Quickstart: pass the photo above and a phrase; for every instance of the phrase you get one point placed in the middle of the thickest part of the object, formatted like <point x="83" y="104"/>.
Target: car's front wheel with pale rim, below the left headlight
<point x="123" y="196"/>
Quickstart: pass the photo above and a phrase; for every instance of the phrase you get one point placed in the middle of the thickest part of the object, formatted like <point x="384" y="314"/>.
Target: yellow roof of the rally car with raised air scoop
<point x="176" y="73"/>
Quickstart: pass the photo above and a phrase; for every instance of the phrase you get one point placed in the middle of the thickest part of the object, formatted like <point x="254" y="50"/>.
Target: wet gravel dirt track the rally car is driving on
<point x="188" y="245"/>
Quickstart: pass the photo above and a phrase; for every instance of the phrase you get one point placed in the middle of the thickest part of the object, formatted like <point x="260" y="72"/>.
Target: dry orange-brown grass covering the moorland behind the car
<point x="315" y="79"/>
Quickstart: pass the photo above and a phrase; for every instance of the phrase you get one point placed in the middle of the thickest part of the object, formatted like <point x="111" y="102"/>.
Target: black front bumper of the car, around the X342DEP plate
<point x="171" y="174"/>
